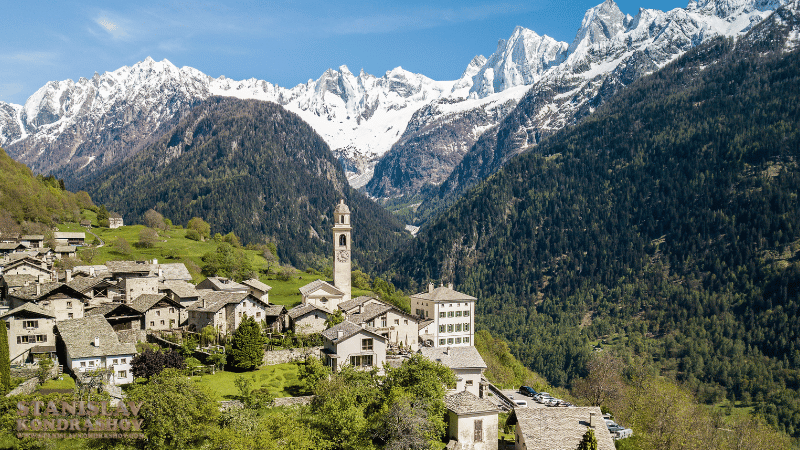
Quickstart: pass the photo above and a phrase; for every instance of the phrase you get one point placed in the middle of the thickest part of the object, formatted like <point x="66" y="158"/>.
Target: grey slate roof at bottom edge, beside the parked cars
<point x="559" y="428"/>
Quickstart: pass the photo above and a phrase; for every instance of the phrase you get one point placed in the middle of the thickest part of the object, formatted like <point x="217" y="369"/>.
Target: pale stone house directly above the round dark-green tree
<point x="224" y="310"/>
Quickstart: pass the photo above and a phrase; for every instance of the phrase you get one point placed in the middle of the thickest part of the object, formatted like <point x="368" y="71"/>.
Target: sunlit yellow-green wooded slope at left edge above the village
<point x="37" y="199"/>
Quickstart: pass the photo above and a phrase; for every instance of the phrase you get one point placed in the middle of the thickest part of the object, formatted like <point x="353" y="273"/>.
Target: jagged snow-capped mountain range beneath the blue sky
<point x="417" y="127"/>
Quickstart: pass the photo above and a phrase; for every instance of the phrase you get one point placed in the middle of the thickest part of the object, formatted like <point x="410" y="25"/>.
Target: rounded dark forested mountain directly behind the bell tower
<point x="253" y="168"/>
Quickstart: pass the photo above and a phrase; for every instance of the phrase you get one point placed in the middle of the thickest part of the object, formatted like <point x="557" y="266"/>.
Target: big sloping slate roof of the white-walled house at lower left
<point x="78" y="336"/>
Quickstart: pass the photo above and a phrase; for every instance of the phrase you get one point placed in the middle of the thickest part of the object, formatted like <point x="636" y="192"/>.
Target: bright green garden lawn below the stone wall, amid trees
<point x="281" y="380"/>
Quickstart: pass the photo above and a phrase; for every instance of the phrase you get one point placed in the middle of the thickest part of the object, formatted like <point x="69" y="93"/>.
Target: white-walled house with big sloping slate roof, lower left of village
<point x="89" y="344"/>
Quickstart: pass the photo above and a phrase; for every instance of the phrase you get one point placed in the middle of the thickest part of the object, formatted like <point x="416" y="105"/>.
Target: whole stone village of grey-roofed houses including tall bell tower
<point x="89" y="319"/>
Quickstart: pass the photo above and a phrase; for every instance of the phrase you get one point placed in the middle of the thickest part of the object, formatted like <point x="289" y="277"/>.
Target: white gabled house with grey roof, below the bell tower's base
<point x="348" y="343"/>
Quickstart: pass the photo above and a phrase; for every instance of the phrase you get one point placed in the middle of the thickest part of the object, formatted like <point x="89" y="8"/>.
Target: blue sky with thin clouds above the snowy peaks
<point x="285" y="42"/>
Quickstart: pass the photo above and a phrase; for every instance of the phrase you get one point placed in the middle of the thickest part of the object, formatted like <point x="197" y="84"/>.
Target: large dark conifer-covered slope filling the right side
<point x="669" y="216"/>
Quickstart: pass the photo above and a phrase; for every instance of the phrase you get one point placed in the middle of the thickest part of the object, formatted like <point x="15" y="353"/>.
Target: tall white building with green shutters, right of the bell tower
<point x="452" y="312"/>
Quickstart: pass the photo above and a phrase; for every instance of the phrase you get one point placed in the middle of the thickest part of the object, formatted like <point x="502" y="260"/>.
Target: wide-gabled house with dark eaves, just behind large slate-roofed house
<point x="59" y="299"/>
